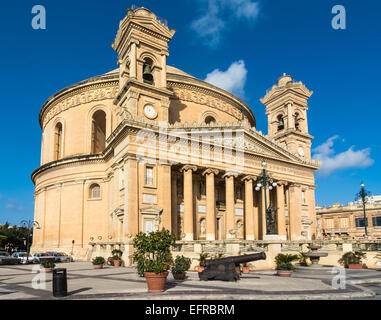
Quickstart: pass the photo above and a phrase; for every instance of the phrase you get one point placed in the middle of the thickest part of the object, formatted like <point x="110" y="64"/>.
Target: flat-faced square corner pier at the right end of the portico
<point x="295" y="208"/>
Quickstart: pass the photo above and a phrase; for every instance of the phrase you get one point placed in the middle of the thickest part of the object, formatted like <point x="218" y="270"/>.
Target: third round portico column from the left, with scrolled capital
<point x="230" y="205"/>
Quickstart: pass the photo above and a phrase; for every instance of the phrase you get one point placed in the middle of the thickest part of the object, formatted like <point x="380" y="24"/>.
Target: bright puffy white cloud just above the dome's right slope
<point x="232" y="80"/>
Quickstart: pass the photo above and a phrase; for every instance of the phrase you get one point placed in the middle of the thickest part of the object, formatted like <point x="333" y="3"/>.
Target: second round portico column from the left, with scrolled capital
<point x="210" y="204"/>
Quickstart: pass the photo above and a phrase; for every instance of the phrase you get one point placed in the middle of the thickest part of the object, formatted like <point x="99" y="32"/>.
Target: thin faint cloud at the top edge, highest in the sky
<point x="219" y="14"/>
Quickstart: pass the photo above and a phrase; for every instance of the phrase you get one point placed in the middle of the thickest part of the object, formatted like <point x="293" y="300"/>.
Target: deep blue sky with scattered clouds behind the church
<point x="242" y="45"/>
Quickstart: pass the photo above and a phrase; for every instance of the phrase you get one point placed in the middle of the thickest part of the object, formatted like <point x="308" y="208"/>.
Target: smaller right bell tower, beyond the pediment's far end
<point x="286" y="109"/>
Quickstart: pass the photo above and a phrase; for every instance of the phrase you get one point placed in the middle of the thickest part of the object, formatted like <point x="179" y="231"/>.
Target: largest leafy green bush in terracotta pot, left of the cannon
<point x="153" y="257"/>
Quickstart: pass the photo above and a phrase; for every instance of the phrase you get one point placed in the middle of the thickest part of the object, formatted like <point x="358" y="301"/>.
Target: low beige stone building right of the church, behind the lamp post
<point x="347" y="221"/>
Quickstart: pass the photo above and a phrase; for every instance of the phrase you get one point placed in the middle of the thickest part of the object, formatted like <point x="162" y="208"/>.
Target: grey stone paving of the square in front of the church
<point x="84" y="282"/>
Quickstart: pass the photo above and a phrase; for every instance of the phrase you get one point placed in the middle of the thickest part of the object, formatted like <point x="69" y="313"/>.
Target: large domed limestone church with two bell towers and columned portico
<point x="148" y="146"/>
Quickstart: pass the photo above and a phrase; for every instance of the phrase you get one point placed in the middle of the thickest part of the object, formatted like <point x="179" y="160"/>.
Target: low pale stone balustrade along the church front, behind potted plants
<point x="193" y="249"/>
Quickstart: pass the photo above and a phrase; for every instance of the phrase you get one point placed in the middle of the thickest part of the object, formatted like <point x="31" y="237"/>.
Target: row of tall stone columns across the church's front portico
<point x="254" y="209"/>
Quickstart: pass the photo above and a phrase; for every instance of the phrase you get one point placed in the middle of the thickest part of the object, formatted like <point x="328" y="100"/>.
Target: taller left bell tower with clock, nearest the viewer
<point x="142" y="47"/>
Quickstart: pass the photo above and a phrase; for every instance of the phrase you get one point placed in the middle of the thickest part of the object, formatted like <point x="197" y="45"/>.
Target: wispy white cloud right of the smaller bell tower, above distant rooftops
<point x="345" y="160"/>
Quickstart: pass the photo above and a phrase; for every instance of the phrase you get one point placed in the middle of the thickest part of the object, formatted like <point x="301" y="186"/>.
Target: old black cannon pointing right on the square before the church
<point x="225" y="269"/>
